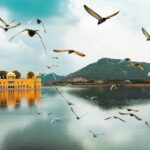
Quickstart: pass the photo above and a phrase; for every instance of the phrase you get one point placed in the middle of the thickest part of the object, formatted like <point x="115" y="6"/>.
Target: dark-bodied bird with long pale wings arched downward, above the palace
<point x="31" y="33"/>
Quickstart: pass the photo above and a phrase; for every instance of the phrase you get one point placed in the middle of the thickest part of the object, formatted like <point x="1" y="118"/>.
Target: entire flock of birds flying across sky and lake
<point x="32" y="32"/>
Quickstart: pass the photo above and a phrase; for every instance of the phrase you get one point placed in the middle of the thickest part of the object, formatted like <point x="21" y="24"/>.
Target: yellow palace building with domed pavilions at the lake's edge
<point x="25" y="83"/>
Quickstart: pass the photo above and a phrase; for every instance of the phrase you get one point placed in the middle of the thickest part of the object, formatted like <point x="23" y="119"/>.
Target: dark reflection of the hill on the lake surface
<point x="107" y="99"/>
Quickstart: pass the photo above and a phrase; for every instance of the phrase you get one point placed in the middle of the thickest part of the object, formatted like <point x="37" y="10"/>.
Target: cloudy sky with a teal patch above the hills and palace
<point x="69" y="26"/>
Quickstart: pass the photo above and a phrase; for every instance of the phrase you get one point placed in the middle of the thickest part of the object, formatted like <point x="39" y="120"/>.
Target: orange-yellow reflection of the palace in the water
<point x="13" y="98"/>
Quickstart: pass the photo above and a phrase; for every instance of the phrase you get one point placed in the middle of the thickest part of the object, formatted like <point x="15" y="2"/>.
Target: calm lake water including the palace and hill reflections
<point x="26" y="121"/>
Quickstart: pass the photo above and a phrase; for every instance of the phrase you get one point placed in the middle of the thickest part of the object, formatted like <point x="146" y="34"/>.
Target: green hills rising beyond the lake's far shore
<point x="105" y="69"/>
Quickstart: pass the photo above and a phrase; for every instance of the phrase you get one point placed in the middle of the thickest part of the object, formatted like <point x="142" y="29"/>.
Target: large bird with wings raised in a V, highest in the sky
<point x="97" y="16"/>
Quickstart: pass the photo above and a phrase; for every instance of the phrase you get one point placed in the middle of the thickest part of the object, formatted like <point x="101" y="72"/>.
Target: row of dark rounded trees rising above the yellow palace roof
<point x="3" y="74"/>
